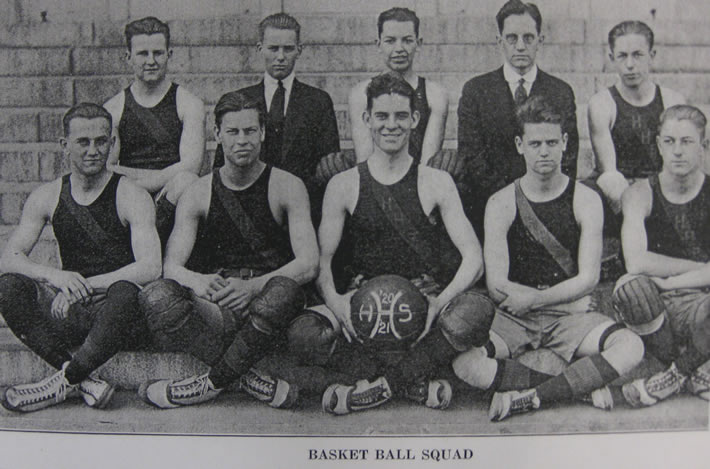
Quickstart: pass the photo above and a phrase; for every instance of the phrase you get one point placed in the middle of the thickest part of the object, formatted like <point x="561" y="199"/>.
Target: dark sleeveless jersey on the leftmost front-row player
<point x="78" y="249"/>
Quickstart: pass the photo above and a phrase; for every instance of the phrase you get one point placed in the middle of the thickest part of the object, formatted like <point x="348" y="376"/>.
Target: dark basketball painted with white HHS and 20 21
<point x="388" y="312"/>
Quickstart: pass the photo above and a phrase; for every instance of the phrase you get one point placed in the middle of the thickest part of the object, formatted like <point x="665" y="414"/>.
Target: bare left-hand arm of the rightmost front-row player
<point x="636" y="203"/>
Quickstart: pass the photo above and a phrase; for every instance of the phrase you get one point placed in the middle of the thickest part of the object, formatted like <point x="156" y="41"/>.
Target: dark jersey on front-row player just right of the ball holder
<point x="530" y="262"/>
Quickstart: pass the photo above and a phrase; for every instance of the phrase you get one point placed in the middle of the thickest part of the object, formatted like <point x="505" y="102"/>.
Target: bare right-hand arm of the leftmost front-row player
<point x="136" y="208"/>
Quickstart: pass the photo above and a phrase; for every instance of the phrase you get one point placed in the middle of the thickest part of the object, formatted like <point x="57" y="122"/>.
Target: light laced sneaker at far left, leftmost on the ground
<point x="35" y="396"/>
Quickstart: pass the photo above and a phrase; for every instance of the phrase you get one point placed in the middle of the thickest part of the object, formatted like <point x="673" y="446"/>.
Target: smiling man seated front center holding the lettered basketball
<point x="403" y="219"/>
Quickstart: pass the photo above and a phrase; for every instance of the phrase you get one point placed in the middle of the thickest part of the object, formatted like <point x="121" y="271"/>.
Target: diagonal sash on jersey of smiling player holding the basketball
<point x="399" y="218"/>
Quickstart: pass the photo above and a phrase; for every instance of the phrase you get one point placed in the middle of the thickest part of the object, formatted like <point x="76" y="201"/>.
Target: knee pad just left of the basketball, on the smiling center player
<point x="311" y="338"/>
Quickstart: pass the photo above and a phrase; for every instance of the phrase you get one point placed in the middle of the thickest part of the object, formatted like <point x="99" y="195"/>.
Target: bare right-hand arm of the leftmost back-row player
<point x="192" y="144"/>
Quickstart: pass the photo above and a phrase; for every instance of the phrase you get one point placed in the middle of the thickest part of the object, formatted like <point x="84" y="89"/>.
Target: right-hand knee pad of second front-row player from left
<point x="273" y="308"/>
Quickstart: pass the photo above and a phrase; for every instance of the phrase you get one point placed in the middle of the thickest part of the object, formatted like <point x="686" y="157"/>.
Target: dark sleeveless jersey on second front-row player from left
<point x="221" y="245"/>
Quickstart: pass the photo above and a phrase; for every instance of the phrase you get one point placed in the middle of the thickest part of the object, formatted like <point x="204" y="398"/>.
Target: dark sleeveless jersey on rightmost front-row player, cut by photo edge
<point x="679" y="230"/>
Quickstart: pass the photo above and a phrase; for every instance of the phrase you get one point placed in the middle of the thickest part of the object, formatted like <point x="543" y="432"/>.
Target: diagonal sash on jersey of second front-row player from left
<point x="246" y="226"/>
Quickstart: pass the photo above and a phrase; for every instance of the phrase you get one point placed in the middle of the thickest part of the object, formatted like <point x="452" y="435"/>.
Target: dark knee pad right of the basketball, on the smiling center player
<point x="466" y="320"/>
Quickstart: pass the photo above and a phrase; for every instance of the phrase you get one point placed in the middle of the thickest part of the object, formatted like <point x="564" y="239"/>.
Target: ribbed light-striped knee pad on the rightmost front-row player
<point x="638" y="304"/>
